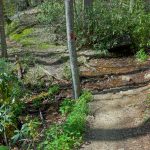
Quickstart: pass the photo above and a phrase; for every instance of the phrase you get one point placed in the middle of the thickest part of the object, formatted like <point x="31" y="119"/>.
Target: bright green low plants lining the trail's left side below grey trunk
<point x="69" y="134"/>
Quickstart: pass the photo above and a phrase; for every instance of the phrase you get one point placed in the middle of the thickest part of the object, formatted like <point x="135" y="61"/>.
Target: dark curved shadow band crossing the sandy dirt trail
<point x="120" y="134"/>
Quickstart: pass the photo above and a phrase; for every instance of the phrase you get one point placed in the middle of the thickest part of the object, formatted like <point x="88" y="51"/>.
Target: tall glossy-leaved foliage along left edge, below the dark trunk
<point x="10" y="104"/>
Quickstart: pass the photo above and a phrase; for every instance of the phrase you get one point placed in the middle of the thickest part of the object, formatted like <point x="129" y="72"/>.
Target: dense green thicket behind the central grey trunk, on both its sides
<point x="107" y="25"/>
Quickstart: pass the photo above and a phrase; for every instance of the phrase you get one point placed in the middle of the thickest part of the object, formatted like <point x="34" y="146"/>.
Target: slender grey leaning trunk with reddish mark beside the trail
<point x="71" y="47"/>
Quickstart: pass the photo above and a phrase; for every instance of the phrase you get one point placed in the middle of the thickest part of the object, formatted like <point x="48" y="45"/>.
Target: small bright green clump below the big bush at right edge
<point x="141" y="55"/>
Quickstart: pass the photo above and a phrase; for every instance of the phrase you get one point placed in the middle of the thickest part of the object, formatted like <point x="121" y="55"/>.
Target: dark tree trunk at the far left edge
<point x="2" y="31"/>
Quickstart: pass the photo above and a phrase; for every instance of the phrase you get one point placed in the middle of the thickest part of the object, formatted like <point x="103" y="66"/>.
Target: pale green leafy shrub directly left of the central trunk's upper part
<point x="53" y="13"/>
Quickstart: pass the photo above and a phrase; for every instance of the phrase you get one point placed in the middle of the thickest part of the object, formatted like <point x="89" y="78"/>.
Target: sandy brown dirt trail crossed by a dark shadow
<point x="116" y="122"/>
